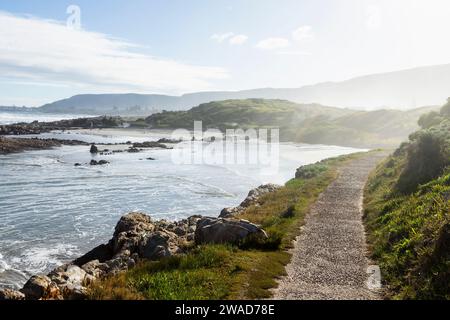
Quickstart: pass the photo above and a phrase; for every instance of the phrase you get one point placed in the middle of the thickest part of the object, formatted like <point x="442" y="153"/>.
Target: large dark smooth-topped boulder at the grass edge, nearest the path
<point x="218" y="230"/>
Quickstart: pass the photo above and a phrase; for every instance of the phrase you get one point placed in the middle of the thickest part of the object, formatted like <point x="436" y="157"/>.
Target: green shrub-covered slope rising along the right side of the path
<point x="407" y="211"/>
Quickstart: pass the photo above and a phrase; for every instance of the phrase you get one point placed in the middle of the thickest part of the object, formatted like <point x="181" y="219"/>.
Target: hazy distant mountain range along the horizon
<point x="403" y="90"/>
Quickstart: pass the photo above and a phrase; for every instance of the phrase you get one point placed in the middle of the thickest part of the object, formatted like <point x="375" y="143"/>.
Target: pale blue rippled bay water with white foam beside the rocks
<point x="52" y="212"/>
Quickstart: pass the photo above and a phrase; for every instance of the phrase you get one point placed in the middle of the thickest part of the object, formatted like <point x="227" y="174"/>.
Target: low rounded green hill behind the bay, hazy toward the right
<point x="307" y="123"/>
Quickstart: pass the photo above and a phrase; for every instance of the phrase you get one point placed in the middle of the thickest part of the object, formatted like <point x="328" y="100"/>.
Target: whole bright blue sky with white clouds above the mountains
<point x="54" y="49"/>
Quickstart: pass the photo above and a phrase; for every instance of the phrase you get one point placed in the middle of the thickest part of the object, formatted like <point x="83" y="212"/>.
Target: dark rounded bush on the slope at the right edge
<point x="427" y="158"/>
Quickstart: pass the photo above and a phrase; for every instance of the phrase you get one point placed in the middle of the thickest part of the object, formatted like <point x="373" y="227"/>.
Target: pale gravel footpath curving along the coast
<point x="329" y="259"/>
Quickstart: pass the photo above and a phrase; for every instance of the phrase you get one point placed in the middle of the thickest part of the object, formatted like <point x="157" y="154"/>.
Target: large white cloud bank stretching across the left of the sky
<point x="37" y="50"/>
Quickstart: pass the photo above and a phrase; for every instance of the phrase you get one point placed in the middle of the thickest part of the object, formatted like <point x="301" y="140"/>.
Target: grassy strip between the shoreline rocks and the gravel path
<point x="247" y="271"/>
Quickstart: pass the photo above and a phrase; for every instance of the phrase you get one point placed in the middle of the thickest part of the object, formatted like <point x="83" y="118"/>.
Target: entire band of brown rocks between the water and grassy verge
<point x="138" y="237"/>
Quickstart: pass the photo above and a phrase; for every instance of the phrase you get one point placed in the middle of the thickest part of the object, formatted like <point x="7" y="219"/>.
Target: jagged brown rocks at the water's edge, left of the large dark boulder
<point x="136" y="237"/>
